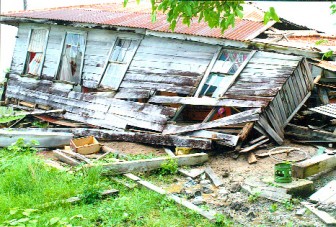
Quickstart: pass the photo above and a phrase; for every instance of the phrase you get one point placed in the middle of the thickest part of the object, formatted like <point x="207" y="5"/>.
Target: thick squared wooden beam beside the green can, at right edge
<point x="313" y="165"/>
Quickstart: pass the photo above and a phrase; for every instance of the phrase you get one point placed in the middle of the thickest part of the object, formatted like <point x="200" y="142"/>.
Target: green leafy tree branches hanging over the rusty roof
<point x="217" y="14"/>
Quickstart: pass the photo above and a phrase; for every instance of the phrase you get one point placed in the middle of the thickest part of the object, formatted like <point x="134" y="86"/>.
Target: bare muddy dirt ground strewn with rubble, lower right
<point x="230" y="199"/>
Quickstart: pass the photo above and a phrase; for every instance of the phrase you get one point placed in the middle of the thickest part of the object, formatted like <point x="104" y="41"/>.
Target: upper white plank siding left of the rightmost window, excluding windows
<point x="159" y="64"/>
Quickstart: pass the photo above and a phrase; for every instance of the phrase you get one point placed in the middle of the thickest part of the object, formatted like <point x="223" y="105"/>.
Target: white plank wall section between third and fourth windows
<point x="168" y="65"/>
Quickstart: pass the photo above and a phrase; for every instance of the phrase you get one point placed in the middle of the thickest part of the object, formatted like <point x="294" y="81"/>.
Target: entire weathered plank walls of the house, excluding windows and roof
<point x="276" y="82"/>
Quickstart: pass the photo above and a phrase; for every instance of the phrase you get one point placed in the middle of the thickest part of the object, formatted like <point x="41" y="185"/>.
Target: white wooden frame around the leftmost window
<point x="45" y="45"/>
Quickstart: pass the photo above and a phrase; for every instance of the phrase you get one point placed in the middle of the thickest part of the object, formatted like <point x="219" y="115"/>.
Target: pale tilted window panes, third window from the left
<point x="119" y="59"/>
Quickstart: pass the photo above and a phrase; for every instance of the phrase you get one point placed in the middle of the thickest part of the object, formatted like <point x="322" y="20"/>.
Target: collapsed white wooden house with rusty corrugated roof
<point x="110" y="67"/>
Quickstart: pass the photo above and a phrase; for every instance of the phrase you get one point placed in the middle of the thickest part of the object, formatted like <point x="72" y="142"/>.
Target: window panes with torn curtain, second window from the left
<point x="72" y="58"/>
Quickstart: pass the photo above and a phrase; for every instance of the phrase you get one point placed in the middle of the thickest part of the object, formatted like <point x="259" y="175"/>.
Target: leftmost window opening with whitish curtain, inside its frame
<point x="35" y="53"/>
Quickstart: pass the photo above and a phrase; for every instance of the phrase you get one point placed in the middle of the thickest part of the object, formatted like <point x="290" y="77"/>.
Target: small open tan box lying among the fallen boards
<point x="85" y="145"/>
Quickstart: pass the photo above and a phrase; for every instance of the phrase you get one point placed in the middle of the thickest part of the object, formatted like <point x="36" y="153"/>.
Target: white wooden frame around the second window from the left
<point x="84" y="33"/>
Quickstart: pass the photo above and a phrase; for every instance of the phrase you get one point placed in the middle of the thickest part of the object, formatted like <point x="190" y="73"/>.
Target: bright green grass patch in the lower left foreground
<point x="26" y="183"/>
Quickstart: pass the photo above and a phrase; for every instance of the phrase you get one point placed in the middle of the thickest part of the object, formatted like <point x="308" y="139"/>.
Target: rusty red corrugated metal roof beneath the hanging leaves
<point x="139" y="16"/>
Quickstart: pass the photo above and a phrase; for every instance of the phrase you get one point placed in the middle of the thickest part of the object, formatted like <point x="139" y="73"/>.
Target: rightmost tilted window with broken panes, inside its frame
<point x="222" y="72"/>
